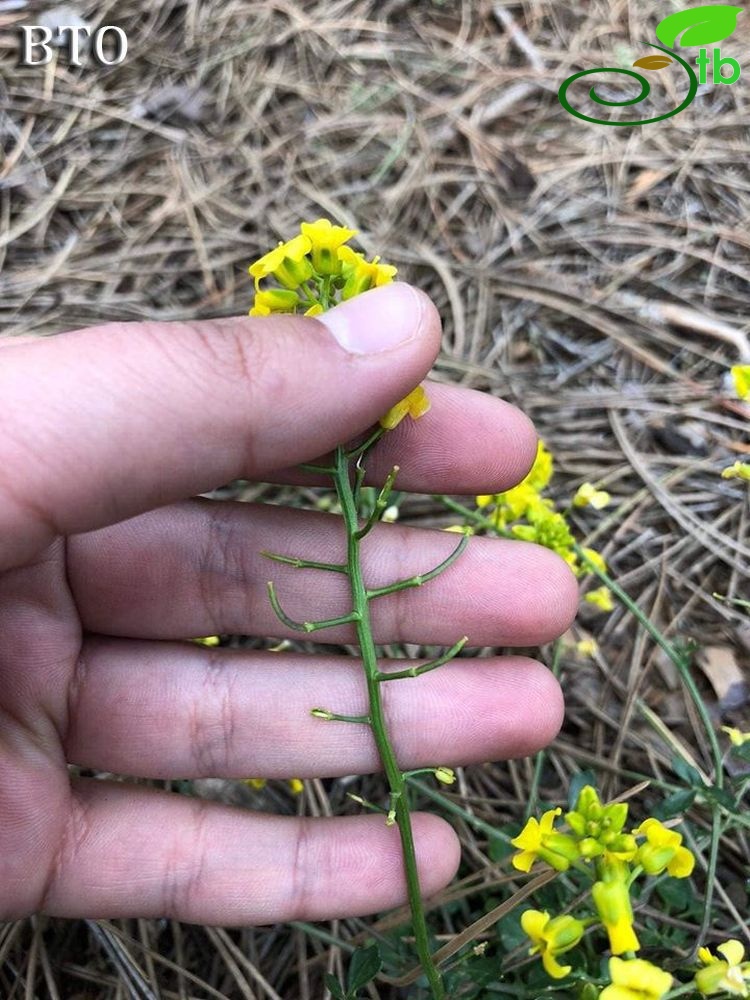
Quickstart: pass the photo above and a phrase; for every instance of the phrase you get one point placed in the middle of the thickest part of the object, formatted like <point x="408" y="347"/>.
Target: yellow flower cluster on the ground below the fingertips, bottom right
<point x="598" y="842"/>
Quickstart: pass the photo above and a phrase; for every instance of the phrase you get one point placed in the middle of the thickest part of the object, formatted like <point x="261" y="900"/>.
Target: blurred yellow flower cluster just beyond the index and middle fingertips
<point x="524" y="512"/>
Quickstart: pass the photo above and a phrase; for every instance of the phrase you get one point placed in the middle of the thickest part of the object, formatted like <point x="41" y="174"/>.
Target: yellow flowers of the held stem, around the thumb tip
<point x="313" y="272"/>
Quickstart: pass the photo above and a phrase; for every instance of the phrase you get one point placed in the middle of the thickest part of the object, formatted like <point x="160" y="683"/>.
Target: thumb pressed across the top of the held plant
<point x="104" y="423"/>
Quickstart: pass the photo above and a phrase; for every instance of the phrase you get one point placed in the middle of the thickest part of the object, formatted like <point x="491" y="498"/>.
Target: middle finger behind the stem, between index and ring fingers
<point x="196" y="568"/>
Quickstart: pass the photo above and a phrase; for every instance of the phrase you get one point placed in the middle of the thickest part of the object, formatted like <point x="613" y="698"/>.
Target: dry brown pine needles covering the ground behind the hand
<point x="599" y="277"/>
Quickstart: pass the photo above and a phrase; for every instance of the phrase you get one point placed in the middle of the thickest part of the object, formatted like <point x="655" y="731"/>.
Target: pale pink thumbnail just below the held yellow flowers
<point x="378" y="320"/>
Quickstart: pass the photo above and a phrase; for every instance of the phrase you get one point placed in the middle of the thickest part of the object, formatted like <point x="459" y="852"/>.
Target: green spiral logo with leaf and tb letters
<point x="703" y="26"/>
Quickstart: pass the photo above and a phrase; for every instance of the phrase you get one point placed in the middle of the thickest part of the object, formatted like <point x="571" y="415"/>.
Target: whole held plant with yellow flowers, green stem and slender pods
<point x="310" y="274"/>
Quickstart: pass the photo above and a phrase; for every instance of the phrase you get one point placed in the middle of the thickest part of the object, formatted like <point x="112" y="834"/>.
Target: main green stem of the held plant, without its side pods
<point x="396" y="783"/>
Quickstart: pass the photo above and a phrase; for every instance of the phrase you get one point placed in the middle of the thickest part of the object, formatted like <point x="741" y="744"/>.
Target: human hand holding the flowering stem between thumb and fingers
<point x="105" y="567"/>
